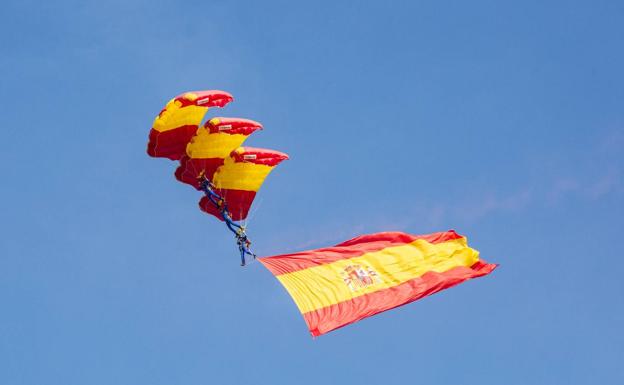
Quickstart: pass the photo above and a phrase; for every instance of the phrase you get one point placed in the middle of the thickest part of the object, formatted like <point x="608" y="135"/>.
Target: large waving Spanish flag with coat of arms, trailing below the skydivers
<point x="336" y="286"/>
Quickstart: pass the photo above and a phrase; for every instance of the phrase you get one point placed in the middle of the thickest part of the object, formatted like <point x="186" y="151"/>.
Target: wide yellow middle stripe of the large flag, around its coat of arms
<point x="324" y="285"/>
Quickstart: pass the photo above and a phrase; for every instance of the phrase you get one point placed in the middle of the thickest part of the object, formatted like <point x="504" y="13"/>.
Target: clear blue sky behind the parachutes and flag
<point x="503" y="120"/>
